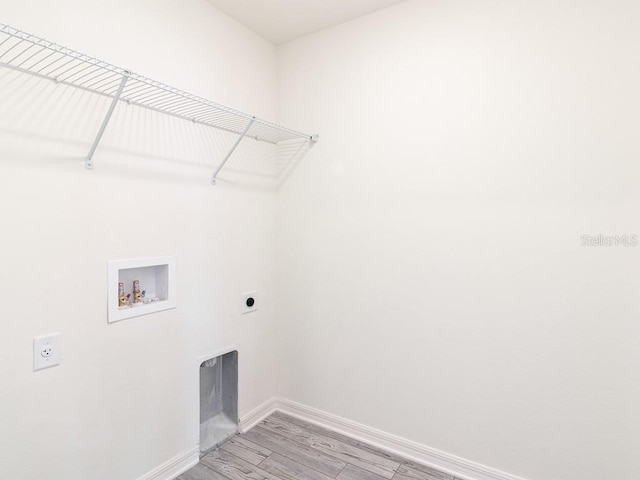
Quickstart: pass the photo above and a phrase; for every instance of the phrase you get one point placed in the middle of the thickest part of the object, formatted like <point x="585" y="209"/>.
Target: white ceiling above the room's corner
<point x="280" y="21"/>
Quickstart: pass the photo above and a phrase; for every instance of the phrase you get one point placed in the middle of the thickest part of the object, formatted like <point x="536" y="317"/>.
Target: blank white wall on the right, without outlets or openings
<point x="432" y="279"/>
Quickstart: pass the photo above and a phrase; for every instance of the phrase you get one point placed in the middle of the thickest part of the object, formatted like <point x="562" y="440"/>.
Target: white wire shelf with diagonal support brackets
<point x="36" y="56"/>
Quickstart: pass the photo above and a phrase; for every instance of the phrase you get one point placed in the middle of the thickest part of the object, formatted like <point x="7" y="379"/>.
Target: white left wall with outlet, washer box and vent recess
<point x="125" y="398"/>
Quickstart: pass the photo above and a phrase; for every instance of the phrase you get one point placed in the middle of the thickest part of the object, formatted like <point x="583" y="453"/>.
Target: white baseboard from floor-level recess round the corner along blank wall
<point x="445" y="462"/>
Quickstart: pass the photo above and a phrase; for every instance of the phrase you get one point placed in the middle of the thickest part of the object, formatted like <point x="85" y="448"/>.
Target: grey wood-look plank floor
<point x="285" y="448"/>
